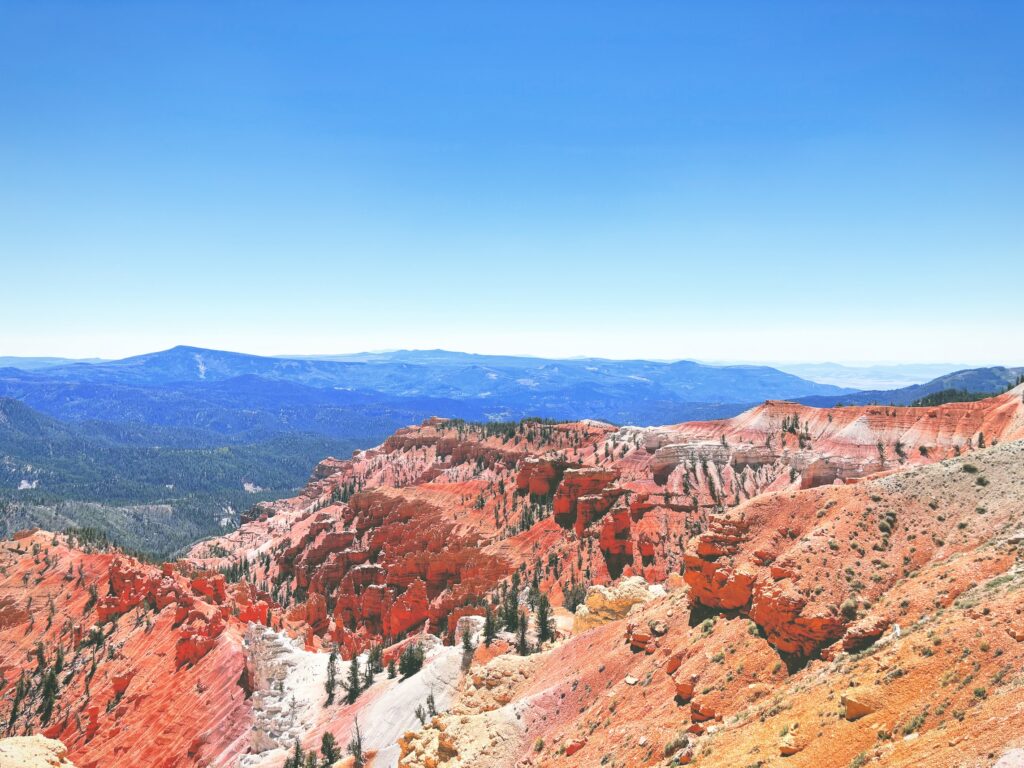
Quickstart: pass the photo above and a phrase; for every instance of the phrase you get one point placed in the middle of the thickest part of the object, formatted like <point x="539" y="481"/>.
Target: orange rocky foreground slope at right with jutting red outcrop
<point x="924" y="668"/>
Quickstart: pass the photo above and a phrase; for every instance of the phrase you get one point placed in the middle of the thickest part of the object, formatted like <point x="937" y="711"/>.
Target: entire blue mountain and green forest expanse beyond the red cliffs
<point x="161" y="449"/>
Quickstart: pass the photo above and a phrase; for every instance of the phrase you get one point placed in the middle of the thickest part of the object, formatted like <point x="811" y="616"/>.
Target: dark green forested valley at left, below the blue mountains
<point x="142" y="486"/>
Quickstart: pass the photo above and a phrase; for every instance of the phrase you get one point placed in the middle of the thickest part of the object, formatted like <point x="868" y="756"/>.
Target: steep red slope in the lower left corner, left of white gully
<point x="146" y="661"/>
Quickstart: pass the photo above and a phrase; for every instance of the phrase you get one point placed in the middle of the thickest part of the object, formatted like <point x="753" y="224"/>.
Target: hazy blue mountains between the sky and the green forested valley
<point x="365" y="398"/>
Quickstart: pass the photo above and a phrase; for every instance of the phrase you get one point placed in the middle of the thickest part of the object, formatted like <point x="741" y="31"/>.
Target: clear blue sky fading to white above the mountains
<point x="814" y="181"/>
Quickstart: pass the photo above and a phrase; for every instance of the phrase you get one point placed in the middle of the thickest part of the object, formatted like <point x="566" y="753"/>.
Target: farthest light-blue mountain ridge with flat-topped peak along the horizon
<point x="430" y="373"/>
